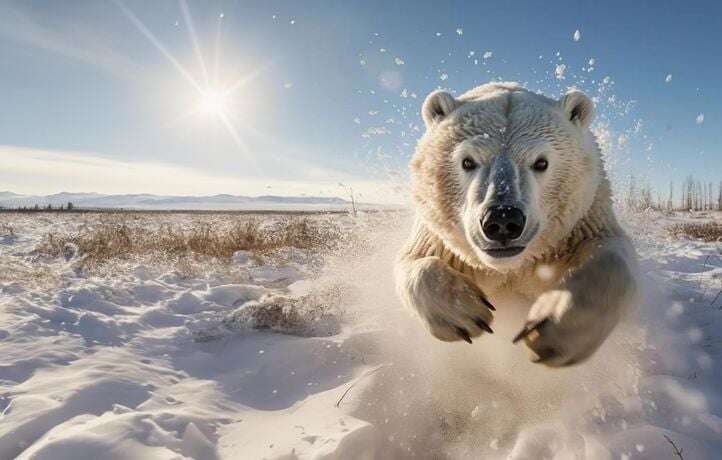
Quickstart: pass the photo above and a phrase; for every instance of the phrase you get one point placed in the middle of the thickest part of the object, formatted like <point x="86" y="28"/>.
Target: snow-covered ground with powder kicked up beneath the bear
<point x="151" y="361"/>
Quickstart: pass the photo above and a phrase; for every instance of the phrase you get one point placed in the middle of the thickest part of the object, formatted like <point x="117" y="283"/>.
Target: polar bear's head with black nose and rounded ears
<point x="503" y="174"/>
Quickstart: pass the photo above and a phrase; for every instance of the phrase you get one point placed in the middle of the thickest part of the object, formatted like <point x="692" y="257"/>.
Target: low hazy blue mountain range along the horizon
<point x="155" y="202"/>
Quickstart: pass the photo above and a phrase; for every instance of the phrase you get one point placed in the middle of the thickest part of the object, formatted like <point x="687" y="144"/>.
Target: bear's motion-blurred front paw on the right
<point x="560" y="333"/>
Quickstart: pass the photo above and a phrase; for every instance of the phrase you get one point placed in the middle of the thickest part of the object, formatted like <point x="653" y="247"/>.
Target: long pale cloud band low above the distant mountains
<point x="34" y="171"/>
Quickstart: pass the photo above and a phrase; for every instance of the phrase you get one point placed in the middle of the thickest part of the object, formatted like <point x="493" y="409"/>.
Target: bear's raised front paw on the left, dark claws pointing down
<point x="449" y="303"/>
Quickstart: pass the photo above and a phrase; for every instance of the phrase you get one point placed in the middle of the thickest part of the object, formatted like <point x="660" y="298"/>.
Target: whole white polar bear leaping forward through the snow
<point x="512" y="197"/>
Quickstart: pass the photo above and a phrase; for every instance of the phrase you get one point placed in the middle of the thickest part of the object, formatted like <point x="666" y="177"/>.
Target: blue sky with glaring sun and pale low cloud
<point x="330" y="92"/>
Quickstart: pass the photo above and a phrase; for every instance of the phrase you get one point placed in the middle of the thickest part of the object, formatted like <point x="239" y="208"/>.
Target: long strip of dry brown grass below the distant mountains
<point x="119" y="239"/>
